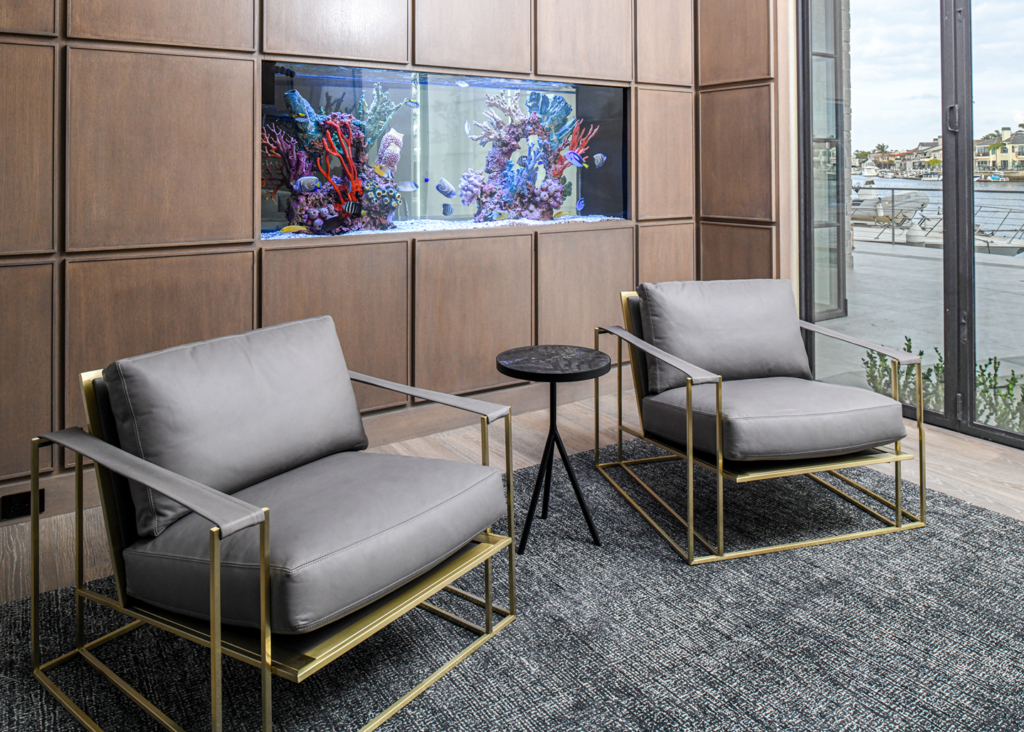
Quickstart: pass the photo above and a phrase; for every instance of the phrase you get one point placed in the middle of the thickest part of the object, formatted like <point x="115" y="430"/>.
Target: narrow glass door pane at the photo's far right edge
<point x="994" y="280"/>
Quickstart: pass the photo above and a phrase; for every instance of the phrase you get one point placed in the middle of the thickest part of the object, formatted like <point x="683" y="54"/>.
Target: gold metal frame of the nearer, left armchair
<point x="294" y="658"/>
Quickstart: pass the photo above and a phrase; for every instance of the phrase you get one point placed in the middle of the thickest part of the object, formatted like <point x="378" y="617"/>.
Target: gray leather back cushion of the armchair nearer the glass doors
<point x="739" y="329"/>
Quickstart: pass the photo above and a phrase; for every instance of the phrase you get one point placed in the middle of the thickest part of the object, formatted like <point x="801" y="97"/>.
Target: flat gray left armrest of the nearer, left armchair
<point x="227" y="512"/>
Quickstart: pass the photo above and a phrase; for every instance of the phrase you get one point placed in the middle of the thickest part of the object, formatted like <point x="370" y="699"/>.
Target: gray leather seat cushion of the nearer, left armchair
<point x="345" y="531"/>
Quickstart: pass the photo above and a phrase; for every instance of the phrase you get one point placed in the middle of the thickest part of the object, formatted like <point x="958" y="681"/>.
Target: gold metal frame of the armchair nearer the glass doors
<point x="902" y="520"/>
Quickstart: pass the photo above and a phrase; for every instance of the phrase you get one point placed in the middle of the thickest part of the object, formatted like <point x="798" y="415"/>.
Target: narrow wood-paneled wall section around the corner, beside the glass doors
<point x="740" y="147"/>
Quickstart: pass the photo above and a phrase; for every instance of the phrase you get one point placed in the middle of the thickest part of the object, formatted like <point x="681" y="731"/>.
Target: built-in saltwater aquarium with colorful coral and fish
<point x="349" y="150"/>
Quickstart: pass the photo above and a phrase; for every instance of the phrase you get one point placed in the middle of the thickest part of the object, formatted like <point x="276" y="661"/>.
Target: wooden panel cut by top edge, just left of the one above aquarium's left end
<point x="225" y="24"/>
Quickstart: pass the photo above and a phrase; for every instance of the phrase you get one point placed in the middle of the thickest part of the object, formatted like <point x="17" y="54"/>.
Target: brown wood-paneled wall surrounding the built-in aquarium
<point x="132" y="171"/>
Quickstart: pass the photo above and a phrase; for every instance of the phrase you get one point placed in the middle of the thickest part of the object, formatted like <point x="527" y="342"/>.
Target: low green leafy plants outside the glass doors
<point x="997" y="404"/>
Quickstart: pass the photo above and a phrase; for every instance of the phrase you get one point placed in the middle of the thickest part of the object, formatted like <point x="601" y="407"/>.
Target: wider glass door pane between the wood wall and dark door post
<point x="873" y="197"/>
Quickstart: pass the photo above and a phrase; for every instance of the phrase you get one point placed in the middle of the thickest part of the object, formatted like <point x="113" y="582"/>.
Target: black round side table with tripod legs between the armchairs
<point x="553" y="365"/>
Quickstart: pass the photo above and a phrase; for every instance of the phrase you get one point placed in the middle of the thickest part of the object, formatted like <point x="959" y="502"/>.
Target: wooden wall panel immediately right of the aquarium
<point x="665" y="154"/>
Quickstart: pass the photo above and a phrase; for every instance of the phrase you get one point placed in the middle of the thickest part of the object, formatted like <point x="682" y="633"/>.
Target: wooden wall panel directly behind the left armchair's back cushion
<point x="125" y="308"/>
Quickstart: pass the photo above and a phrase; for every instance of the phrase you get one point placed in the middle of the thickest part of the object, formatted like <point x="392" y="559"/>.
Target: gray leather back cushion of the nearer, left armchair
<point x="235" y="411"/>
